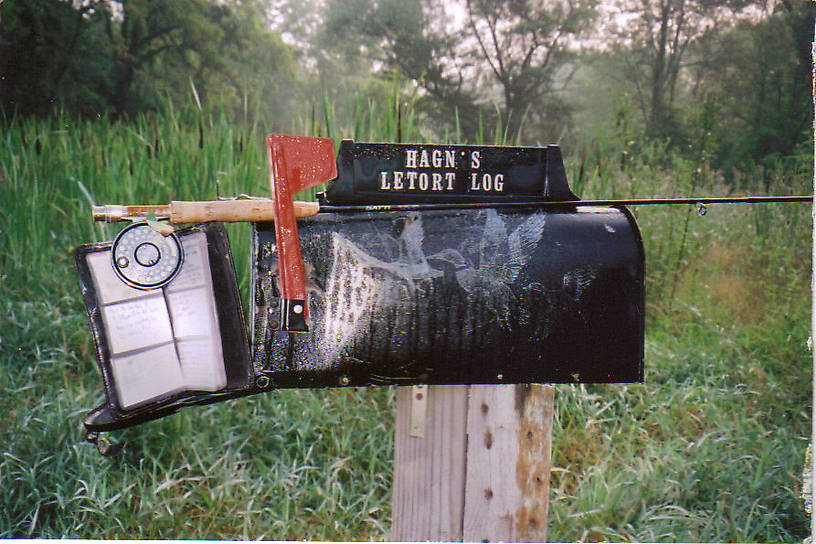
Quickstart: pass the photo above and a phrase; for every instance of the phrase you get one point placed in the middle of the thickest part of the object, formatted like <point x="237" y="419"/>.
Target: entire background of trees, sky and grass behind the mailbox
<point x="140" y="101"/>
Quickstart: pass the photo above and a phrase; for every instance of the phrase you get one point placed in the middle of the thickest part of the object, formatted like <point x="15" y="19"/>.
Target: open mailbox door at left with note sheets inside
<point x="163" y="347"/>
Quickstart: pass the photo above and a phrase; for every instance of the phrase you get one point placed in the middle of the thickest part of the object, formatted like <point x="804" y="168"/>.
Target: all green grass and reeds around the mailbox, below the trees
<point x="710" y="448"/>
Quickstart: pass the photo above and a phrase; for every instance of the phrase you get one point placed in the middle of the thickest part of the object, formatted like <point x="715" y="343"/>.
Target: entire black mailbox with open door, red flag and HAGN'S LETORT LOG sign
<point x="426" y="264"/>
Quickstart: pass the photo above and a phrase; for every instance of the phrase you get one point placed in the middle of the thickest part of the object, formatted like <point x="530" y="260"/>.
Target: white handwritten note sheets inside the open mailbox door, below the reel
<point x="162" y="341"/>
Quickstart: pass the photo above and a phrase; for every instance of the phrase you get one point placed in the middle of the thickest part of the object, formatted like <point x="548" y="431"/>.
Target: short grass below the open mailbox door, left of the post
<point x="272" y="466"/>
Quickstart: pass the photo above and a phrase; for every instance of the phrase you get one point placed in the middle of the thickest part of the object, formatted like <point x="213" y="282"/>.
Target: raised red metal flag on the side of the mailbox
<point x="295" y="163"/>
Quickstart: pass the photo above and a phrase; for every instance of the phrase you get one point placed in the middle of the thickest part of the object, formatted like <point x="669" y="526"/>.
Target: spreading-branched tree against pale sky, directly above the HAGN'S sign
<point x="469" y="55"/>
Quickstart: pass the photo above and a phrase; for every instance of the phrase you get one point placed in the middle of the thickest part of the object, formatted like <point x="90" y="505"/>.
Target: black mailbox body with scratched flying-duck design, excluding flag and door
<point x="458" y="297"/>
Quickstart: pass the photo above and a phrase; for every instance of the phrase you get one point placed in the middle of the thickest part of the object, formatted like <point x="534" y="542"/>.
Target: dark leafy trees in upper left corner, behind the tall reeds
<point x="125" y="56"/>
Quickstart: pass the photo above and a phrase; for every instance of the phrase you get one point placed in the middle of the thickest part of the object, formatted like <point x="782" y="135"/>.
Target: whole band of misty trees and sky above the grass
<point x="730" y="76"/>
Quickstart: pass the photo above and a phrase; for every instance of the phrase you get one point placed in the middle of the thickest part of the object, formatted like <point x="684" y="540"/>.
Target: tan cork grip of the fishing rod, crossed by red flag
<point x="233" y="210"/>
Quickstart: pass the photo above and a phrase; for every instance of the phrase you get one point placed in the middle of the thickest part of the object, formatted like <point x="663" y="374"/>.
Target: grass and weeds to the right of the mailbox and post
<point x="709" y="447"/>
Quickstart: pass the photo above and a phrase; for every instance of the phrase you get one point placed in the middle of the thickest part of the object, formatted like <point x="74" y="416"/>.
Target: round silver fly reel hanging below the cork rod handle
<point x="144" y="258"/>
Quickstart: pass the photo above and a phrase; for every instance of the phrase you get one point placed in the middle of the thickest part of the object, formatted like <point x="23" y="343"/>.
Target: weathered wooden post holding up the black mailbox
<point x="478" y="469"/>
